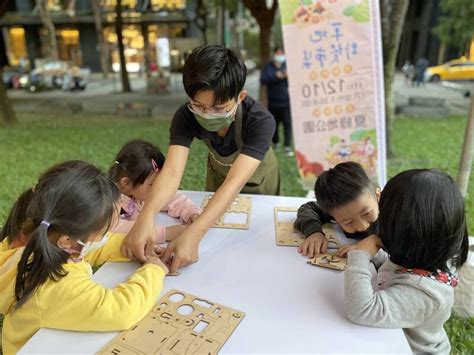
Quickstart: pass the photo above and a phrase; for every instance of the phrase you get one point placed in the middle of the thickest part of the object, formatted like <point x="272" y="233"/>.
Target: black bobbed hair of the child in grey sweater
<point x="422" y="221"/>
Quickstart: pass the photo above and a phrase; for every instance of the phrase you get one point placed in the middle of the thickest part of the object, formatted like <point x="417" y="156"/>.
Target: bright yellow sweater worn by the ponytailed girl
<point x="75" y="302"/>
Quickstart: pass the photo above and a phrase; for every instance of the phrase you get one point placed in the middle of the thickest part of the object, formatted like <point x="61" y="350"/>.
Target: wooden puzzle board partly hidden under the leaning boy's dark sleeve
<point x="286" y="235"/>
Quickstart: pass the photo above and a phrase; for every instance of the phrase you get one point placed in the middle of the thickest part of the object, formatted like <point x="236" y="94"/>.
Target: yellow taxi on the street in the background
<point x="457" y="69"/>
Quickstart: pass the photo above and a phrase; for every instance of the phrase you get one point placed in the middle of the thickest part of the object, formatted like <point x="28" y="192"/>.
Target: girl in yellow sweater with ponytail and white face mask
<point x="47" y="283"/>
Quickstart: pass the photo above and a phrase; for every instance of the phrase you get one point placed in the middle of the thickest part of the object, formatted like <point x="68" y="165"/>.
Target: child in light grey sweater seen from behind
<point x="422" y="228"/>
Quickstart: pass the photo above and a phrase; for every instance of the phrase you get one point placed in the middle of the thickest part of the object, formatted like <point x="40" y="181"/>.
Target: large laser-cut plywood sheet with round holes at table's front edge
<point x="179" y="323"/>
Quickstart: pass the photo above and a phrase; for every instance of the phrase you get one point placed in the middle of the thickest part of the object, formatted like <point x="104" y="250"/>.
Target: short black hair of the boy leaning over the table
<point x="341" y="185"/>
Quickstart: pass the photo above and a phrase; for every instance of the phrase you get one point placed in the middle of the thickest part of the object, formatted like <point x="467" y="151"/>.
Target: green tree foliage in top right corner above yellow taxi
<point x="456" y="26"/>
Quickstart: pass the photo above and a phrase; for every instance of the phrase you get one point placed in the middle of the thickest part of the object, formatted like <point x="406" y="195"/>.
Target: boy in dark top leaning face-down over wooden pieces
<point x="344" y="194"/>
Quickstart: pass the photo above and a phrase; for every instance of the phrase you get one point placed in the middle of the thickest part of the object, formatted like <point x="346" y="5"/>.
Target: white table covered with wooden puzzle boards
<point x="290" y="306"/>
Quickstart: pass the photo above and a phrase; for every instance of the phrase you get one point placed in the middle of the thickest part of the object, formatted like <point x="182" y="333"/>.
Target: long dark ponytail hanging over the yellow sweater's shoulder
<point x="40" y="260"/>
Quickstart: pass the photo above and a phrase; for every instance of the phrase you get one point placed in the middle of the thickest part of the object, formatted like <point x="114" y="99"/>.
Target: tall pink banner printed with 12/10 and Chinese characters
<point x="334" y="62"/>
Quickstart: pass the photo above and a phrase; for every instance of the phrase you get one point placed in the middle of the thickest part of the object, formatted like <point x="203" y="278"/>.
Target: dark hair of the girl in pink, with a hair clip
<point x="135" y="162"/>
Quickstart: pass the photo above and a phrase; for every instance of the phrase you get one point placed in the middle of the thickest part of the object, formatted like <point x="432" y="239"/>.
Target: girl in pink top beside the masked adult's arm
<point x="136" y="167"/>
